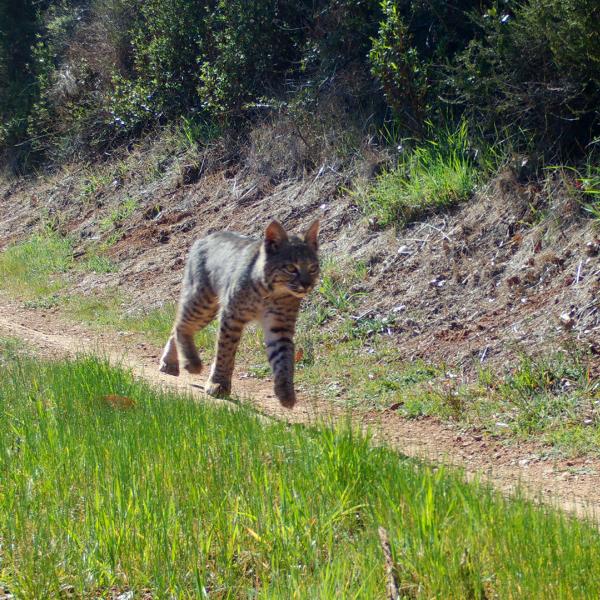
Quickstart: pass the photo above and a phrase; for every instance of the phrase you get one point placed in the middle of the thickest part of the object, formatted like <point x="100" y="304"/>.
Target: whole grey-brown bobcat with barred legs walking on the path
<point x="244" y="279"/>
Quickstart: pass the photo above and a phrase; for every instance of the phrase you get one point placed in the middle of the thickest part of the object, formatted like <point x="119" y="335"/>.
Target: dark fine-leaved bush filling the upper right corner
<point x="535" y="65"/>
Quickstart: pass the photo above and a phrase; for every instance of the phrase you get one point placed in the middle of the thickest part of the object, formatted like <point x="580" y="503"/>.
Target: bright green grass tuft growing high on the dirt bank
<point x="434" y="175"/>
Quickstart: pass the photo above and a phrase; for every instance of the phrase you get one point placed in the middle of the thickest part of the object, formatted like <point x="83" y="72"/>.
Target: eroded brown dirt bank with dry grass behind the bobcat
<point x="517" y="268"/>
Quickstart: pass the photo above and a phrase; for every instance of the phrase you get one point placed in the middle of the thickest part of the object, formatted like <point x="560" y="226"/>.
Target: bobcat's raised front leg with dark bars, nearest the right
<point x="279" y="332"/>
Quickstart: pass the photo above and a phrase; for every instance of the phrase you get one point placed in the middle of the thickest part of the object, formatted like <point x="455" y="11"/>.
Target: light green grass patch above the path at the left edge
<point x="36" y="267"/>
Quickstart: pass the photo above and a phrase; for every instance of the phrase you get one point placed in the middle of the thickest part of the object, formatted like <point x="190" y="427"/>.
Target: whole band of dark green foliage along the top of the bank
<point x="79" y="76"/>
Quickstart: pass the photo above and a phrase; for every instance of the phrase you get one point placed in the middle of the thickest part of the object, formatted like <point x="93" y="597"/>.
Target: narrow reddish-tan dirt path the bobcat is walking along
<point x="573" y="485"/>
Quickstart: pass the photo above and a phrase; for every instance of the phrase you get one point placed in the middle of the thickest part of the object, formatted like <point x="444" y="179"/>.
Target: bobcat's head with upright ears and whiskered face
<point x="291" y="263"/>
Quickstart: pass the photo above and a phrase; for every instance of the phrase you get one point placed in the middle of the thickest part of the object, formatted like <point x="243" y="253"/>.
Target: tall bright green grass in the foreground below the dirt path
<point x="107" y="485"/>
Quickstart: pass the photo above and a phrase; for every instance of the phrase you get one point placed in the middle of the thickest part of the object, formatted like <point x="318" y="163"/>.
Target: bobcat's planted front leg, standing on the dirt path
<point x="230" y="331"/>
